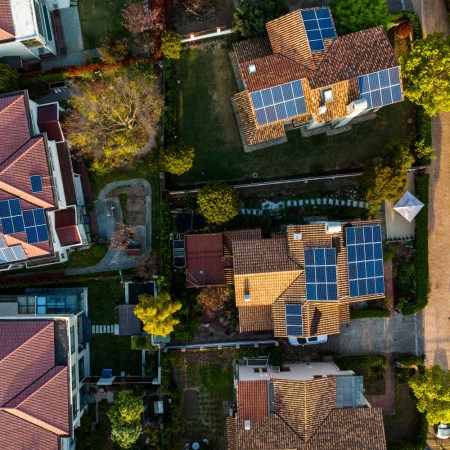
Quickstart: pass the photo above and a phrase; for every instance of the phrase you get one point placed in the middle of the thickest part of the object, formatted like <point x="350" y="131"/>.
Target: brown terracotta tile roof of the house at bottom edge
<point x="305" y="418"/>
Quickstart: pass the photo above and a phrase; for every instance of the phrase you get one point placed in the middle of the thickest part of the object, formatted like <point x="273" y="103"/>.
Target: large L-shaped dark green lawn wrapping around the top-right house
<point x="207" y="123"/>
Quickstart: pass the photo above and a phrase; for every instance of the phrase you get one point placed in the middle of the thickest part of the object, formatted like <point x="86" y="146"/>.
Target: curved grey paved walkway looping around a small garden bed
<point x="108" y="214"/>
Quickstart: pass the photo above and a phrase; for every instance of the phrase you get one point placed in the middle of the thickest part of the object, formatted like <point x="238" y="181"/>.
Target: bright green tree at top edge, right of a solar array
<point x="355" y="15"/>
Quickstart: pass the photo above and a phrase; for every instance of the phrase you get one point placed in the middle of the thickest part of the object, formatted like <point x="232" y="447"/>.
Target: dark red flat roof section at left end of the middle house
<point x="204" y="263"/>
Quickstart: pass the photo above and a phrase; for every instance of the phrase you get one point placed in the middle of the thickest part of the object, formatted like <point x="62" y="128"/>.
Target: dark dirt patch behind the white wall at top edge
<point x="218" y="14"/>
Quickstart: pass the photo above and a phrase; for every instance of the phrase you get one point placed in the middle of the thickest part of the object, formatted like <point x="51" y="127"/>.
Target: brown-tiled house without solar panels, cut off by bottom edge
<point x="307" y="406"/>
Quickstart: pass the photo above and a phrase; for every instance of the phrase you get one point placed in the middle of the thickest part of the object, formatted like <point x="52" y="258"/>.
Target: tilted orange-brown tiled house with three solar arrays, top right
<point x="304" y="75"/>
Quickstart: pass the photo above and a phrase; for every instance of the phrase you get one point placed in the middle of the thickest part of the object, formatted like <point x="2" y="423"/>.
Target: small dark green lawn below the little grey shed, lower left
<point x="114" y="352"/>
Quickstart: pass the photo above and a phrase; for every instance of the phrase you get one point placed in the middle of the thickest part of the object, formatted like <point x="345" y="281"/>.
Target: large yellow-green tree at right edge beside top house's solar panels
<point x="426" y="73"/>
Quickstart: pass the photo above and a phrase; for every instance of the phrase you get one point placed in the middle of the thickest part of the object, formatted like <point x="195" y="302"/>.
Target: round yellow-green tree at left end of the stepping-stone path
<point x="218" y="203"/>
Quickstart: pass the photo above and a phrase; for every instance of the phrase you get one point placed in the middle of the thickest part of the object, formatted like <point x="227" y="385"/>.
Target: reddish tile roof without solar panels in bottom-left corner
<point x="34" y="393"/>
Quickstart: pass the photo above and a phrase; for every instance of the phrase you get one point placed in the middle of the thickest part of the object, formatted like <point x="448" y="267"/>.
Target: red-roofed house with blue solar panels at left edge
<point x="42" y="212"/>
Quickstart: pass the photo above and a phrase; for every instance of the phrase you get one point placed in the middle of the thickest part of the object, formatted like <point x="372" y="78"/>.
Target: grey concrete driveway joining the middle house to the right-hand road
<point x="381" y="335"/>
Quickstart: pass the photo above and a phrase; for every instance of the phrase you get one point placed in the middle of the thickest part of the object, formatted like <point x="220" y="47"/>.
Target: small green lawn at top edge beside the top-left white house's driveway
<point x="99" y="20"/>
